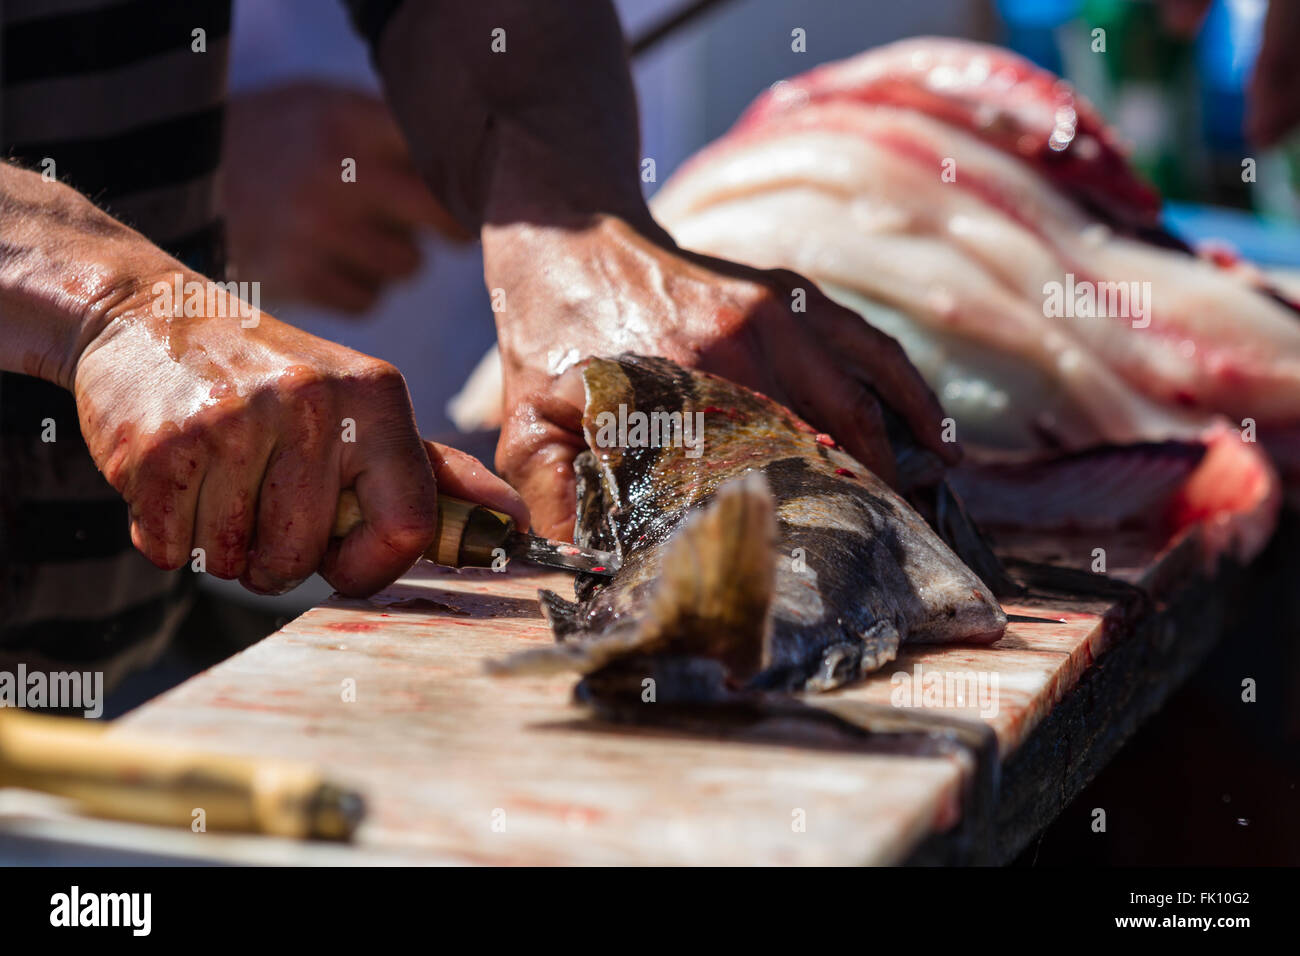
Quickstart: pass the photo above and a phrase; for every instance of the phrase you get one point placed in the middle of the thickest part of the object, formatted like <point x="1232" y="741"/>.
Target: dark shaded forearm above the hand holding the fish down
<point x="544" y="133"/>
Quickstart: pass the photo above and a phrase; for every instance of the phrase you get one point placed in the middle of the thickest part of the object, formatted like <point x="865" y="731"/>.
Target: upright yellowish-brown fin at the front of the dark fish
<point x="718" y="579"/>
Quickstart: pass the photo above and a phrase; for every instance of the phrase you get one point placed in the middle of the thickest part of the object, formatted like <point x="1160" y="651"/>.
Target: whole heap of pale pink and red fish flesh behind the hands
<point x="969" y="205"/>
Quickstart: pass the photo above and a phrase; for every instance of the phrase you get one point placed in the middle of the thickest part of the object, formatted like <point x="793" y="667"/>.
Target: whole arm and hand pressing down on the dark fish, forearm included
<point x="526" y="129"/>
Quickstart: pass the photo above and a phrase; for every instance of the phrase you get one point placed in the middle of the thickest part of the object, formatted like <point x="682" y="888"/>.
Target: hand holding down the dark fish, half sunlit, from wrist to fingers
<point x="609" y="288"/>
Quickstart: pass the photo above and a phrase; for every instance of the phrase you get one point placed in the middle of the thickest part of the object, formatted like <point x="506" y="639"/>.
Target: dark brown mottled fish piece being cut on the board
<point x="765" y="560"/>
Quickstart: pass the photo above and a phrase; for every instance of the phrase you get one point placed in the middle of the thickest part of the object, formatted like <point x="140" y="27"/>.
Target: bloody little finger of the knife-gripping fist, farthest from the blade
<point x="163" y="500"/>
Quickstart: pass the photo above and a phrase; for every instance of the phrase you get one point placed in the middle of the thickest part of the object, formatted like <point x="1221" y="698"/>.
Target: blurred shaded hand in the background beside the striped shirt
<point x="294" y="224"/>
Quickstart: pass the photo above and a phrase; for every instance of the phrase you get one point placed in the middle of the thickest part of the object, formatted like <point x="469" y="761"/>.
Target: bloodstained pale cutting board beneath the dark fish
<point x="392" y="697"/>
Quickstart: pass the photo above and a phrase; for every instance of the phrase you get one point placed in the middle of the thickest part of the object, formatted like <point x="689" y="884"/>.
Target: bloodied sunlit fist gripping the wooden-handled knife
<point x="239" y="442"/>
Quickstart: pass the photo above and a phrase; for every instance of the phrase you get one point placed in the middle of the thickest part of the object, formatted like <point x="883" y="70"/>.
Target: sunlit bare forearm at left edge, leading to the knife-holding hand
<point x="66" y="269"/>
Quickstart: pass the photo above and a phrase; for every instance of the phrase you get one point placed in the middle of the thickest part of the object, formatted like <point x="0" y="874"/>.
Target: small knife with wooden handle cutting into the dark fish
<point x="475" y="535"/>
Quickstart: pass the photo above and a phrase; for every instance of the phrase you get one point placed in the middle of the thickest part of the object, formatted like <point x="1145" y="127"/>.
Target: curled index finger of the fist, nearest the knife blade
<point x="389" y="470"/>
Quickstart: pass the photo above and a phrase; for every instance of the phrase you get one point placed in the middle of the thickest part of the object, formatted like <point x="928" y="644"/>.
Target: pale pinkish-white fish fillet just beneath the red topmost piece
<point x="1142" y="340"/>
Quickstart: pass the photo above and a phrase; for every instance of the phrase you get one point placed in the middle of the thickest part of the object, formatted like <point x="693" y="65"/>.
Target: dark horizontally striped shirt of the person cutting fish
<point x="125" y="100"/>
